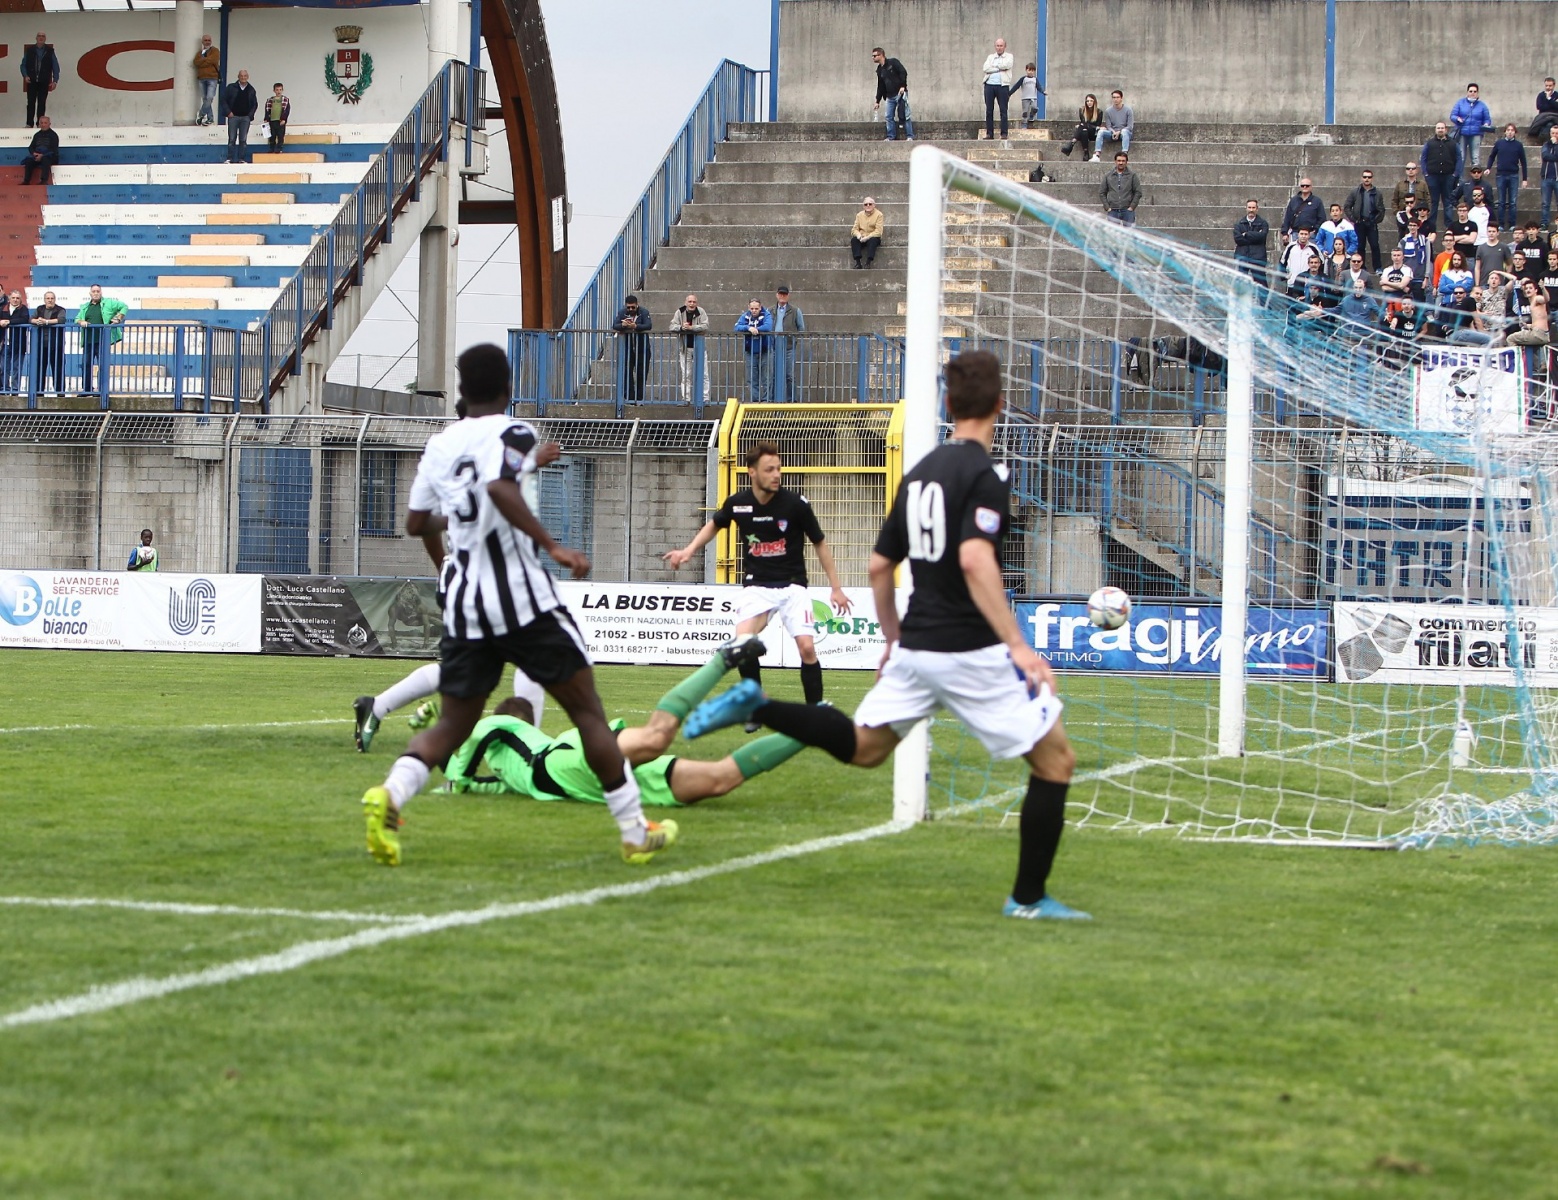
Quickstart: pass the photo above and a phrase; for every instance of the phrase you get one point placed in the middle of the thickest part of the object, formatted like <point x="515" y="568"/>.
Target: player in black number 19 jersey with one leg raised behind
<point x="959" y="648"/>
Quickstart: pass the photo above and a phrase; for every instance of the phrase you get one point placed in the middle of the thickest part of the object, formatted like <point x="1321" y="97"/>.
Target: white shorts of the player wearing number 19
<point x="981" y="688"/>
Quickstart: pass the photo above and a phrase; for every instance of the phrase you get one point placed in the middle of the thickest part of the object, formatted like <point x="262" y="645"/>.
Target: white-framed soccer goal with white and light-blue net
<point x="1342" y="546"/>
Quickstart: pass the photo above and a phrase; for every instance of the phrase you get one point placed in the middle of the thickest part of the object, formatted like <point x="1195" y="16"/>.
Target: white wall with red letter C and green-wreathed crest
<point x="105" y="82"/>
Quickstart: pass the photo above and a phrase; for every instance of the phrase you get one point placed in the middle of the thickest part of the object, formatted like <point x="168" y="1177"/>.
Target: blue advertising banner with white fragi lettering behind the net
<point x="1182" y="640"/>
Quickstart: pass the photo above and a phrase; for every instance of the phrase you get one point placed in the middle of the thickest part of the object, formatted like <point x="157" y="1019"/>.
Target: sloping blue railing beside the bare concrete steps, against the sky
<point x="735" y="94"/>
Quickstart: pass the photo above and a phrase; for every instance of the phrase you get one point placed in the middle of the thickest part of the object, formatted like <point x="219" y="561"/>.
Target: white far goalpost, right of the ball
<point x="1236" y="528"/>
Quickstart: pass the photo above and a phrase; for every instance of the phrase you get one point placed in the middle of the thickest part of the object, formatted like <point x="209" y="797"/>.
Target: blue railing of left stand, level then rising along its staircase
<point x="217" y="365"/>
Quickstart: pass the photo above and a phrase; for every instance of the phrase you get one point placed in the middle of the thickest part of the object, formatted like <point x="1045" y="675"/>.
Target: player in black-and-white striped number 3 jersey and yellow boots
<point x="501" y="607"/>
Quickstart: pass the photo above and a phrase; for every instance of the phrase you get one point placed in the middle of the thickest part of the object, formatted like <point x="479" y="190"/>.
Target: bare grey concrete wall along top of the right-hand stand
<point x="1398" y="62"/>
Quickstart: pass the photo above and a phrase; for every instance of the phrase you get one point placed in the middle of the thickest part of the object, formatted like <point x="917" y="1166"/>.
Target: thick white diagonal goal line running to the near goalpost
<point x="136" y="990"/>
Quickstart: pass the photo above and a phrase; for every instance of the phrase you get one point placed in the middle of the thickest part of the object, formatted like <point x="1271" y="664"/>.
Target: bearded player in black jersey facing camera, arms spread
<point x="775" y="524"/>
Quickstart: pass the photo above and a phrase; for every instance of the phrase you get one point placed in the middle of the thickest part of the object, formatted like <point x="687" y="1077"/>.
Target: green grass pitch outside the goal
<point x="1238" y="1022"/>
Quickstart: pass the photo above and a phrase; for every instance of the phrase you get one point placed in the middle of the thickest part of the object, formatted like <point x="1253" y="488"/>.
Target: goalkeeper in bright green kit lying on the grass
<point x="523" y="760"/>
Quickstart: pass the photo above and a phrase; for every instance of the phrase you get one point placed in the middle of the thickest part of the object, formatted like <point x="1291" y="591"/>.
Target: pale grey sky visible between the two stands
<point x="629" y="72"/>
